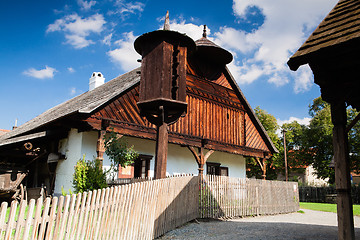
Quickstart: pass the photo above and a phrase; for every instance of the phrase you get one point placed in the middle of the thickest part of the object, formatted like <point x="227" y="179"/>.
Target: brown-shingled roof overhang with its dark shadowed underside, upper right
<point x="332" y="51"/>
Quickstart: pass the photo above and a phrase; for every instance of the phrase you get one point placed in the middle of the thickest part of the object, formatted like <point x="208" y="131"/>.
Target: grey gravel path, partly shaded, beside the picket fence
<point x="308" y="225"/>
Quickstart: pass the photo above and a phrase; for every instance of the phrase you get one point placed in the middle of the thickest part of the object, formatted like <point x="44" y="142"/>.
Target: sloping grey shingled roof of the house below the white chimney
<point x="84" y="103"/>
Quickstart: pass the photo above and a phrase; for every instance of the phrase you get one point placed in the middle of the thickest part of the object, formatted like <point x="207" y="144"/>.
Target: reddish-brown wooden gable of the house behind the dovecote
<point x="216" y="117"/>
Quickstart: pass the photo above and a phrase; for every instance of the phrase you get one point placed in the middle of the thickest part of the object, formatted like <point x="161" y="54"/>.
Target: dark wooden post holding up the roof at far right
<point x="342" y="172"/>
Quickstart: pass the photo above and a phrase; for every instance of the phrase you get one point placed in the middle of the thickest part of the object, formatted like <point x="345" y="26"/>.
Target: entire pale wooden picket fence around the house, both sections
<point x="145" y="210"/>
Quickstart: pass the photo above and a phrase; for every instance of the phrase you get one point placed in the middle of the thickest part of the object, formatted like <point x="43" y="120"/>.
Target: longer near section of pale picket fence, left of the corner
<point x="136" y="211"/>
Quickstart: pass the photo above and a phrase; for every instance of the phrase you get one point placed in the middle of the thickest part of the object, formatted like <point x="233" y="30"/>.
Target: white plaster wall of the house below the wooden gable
<point x="180" y="160"/>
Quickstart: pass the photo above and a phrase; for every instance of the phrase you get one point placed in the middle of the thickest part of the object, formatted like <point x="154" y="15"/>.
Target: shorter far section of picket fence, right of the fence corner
<point x="226" y="197"/>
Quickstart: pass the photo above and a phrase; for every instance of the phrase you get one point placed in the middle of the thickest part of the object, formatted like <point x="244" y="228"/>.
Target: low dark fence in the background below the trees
<point x="322" y="194"/>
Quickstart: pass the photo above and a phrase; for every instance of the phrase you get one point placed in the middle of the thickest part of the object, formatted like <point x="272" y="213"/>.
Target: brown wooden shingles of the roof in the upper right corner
<point x="341" y="26"/>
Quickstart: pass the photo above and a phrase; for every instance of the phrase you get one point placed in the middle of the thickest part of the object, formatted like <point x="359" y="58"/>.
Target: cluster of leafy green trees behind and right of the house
<point x="307" y="144"/>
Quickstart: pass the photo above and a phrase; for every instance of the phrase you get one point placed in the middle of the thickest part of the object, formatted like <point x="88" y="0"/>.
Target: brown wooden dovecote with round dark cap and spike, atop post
<point x="163" y="73"/>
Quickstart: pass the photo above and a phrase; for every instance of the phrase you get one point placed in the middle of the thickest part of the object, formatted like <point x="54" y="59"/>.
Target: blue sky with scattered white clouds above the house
<point x="49" y="49"/>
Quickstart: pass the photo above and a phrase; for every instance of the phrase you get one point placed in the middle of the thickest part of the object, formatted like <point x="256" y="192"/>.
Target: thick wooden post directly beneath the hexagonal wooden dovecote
<point x="161" y="150"/>
